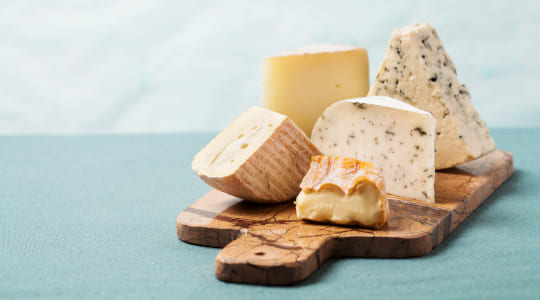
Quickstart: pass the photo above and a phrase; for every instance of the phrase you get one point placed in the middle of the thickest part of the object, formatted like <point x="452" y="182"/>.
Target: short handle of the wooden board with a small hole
<point x="271" y="260"/>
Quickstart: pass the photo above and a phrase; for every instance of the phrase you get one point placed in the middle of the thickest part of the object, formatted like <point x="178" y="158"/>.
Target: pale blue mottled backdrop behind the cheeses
<point x="168" y="66"/>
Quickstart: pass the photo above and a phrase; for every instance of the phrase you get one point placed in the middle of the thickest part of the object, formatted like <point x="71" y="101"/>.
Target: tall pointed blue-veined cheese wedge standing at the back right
<point x="417" y="70"/>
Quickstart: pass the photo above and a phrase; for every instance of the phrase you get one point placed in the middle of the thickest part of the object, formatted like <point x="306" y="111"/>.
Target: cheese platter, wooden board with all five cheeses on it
<point x="327" y="168"/>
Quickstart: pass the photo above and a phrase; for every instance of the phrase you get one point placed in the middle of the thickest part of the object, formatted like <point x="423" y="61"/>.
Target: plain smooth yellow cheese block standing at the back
<point x="303" y="82"/>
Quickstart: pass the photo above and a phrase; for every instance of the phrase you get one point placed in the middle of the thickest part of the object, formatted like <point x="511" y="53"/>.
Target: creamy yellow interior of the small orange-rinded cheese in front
<point x="361" y="207"/>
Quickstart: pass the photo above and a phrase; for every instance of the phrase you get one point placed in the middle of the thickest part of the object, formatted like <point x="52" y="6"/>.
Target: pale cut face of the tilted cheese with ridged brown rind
<point x="234" y="145"/>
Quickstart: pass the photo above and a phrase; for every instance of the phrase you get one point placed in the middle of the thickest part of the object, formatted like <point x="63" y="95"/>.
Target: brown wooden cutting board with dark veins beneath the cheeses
<point x="266" y="244"/>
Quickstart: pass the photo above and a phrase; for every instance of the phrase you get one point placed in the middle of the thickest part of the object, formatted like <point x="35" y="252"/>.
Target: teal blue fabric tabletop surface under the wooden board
<point x="94" y="217"/>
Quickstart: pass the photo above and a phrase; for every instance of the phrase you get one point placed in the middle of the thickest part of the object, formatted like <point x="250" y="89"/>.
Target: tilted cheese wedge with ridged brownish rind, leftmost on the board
<point x="261" y="157"/>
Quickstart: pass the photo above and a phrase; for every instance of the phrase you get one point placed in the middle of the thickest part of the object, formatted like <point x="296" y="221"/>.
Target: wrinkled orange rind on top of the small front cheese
<point x="344" y="173"/>
